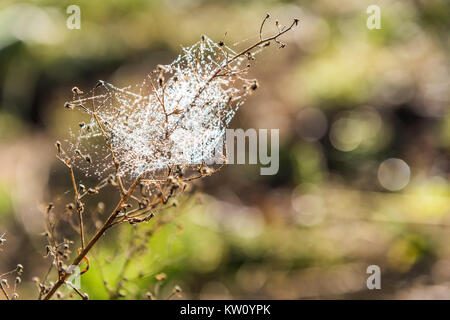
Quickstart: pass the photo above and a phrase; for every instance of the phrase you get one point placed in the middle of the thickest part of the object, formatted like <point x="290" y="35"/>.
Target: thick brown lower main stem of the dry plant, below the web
<point x="95" y="238"/>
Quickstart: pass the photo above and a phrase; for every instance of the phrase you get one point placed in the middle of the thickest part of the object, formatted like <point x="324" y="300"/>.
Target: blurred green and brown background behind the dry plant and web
<point x="346" y="100"/>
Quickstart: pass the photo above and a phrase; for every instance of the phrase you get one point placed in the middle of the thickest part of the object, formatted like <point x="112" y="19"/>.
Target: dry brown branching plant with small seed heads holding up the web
<point x="223" y="69"/>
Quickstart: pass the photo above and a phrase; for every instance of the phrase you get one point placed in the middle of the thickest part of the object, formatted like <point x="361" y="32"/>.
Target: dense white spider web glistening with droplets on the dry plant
<point x="177" y="116"/>
